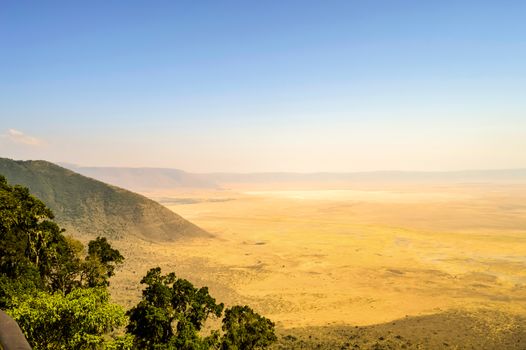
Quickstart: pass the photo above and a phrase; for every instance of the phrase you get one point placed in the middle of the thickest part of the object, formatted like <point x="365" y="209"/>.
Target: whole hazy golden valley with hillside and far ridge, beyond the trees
<point x="336" y="260"/>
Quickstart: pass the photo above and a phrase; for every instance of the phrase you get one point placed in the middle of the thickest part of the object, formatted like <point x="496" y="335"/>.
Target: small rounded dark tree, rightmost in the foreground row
<point x="245" y="330"/>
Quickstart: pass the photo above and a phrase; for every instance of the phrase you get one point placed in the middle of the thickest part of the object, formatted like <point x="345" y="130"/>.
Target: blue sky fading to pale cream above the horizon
<point x="265" y="85"/>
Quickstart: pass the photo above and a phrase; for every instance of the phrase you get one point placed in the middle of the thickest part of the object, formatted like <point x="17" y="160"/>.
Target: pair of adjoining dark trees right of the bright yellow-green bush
<point x="168" y="301"/>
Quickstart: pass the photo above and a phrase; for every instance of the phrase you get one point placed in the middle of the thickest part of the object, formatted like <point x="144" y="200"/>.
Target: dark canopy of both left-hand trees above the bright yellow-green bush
<point x="33" y="248"/>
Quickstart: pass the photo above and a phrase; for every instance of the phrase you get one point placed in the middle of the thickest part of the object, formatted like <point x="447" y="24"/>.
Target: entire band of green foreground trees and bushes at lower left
<point x="58" y="293"/>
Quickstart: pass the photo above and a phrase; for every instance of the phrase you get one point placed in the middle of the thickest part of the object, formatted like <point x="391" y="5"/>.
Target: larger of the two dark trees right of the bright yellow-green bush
<point x="171" y="313"/>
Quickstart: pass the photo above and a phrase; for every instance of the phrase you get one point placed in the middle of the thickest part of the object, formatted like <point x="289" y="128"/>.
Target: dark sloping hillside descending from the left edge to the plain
<point x="87" y="207"/>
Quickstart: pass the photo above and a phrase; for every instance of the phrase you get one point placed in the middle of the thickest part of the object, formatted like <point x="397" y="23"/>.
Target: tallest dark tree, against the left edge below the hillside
<point x="32" y="246"/>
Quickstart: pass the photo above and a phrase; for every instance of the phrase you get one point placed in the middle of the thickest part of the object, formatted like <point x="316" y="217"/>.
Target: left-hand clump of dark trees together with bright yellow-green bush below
<point x="41" y="277"/>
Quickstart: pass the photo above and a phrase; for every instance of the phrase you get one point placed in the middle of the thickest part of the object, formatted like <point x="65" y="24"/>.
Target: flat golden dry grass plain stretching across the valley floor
<point x="356" y="255"/>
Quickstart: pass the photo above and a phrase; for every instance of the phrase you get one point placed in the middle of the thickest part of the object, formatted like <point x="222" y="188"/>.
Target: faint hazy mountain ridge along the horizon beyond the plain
<point x="145" y="179"/>
